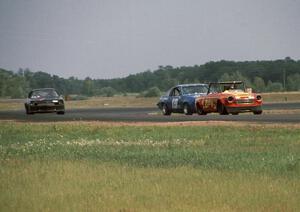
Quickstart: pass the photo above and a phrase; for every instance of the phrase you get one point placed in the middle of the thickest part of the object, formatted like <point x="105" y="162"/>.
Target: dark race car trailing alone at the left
<point x="44" y="100"/>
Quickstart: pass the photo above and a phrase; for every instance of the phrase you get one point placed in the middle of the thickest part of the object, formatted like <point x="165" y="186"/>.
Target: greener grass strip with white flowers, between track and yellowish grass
<point x="272" y="150"/>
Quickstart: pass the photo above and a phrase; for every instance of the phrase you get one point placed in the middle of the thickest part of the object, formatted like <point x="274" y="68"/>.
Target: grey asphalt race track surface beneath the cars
<point x="153" y="115"/>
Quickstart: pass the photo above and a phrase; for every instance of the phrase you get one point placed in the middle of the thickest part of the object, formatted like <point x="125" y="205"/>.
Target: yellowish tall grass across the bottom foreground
<point x="90" y="186"/>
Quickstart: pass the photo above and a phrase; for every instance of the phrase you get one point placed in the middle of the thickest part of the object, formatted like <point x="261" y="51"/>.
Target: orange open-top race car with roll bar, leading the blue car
<point x="229" y="97"/>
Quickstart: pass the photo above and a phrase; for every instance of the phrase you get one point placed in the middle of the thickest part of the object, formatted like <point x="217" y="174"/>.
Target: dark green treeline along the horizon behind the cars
<point x="262" y="76"/>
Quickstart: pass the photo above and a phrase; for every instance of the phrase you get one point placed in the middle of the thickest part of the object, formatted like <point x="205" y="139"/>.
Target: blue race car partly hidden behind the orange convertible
<point x="181" y="99"/>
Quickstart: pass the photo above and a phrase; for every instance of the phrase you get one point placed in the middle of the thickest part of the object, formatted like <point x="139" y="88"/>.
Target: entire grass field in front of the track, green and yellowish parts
<point x="95" y="166"/>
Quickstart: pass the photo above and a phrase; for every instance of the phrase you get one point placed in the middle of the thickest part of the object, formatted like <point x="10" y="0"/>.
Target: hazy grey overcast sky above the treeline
<point x="105" y="39"/>
